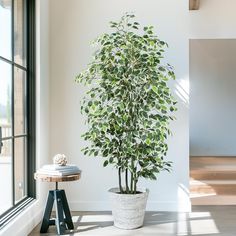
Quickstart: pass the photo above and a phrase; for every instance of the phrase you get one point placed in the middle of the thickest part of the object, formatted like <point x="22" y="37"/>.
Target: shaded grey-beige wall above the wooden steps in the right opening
<point x="212" y="97"/>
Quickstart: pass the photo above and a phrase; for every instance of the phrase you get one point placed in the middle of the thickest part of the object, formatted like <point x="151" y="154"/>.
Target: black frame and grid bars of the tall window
<point x="31" y="108"/>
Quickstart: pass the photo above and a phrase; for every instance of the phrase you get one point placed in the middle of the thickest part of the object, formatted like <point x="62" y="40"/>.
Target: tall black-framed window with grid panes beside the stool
<point x="17" y="105"/>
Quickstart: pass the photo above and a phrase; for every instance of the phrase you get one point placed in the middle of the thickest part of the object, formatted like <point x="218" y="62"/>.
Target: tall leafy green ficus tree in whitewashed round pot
<point x="128" y="108"/>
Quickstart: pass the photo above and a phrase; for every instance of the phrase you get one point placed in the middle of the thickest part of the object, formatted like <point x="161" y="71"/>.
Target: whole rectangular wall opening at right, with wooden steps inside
<point x="212" y="121"/>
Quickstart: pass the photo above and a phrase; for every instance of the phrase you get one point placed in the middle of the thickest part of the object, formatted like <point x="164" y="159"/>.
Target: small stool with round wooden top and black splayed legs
<point x="63" y="219"/>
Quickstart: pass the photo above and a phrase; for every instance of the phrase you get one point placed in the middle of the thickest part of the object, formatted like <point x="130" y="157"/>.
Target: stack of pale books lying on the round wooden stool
<point x="59" y="170"/>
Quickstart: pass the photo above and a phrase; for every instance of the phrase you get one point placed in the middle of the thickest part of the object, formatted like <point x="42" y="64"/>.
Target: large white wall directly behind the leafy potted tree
<point x="74" y="24"/>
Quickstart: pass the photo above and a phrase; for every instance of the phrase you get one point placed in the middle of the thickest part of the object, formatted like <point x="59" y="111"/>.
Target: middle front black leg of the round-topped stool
<point x="60" y="223"/>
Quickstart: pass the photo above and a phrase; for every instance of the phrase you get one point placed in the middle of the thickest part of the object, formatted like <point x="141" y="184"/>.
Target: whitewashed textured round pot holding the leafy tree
<point x="128" y="210"/>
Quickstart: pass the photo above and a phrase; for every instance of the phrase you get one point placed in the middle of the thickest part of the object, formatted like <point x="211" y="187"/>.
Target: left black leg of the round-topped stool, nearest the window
<point x="47" y="213"/>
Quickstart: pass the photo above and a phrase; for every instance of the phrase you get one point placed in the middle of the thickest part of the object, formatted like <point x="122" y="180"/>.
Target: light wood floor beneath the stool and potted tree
<point x="203" y="220"/>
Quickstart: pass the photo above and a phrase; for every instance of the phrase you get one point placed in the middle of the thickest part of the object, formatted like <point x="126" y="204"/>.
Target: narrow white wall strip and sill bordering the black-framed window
<point x="23" y="223"/>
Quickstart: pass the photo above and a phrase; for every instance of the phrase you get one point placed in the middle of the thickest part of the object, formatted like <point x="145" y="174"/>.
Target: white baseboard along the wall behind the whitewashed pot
<point x="151" y="206"/>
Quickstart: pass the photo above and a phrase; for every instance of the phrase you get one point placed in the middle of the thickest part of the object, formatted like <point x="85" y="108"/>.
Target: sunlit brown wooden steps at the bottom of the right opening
<point x="213" y="180"/>
